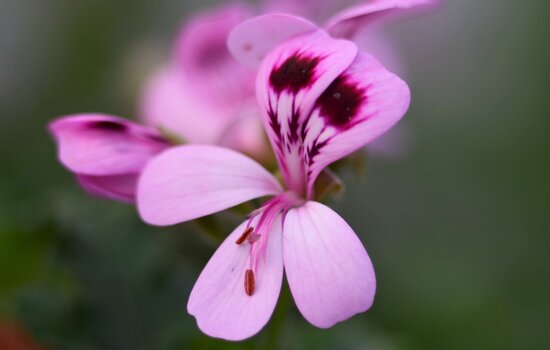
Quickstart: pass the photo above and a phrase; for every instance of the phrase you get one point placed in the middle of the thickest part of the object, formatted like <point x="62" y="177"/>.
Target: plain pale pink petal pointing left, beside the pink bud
<point x="191" y="181"/>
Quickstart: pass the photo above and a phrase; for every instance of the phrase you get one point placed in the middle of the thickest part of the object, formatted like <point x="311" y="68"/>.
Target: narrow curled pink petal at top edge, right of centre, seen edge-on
<point x="347" y="22"/>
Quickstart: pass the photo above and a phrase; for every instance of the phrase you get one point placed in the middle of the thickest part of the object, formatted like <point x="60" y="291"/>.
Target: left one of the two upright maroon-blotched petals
<point x="290" y="80"/>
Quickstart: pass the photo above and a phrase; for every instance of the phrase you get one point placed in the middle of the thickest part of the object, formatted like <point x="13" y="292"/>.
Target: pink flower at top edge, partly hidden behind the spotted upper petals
<point x="350" y="19"/>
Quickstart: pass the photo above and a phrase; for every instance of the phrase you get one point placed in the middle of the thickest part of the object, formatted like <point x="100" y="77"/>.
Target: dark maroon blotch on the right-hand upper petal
<point x="340" y="102"/>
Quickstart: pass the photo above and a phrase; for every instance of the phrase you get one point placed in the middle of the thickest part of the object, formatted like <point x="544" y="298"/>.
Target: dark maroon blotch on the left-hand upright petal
<point x="296" y="73"/>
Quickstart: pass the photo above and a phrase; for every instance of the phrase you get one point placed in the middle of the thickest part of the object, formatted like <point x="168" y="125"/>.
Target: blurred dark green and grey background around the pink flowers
<point x="457" y="225"/>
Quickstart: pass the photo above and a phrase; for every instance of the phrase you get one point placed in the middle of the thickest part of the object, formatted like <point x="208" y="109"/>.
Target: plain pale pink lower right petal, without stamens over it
<point x="328" y="270"/>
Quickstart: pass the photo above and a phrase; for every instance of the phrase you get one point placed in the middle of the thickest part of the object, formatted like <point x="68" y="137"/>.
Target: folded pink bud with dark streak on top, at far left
<point x="106" y="153"/>
